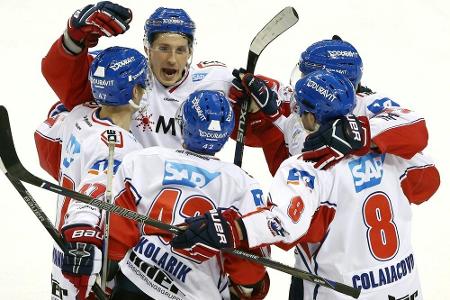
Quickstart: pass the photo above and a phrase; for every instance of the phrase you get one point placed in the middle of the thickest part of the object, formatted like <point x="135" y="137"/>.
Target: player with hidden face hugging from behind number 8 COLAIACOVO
<point x="337" y="56"/>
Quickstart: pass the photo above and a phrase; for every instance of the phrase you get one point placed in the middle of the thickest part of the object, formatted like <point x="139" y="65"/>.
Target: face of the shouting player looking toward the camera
<point x="168" y="57"/>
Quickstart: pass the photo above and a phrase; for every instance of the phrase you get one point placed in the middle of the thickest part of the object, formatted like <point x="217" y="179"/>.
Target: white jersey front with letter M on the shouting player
<point x="154" y="124"/>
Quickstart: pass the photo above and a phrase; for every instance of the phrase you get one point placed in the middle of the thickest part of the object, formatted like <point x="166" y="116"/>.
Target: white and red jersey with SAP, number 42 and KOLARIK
<point x="171" y="185"/>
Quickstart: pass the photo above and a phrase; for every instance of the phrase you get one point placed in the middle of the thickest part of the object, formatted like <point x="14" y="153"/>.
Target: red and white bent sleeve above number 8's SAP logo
<point x="399" y="131"/>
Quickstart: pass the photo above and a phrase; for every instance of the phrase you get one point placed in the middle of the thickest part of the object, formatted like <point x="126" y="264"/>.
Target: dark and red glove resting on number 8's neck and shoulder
<point x="336" y="139"/>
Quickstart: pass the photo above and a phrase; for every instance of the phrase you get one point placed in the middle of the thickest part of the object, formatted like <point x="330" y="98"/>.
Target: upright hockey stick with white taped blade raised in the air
<point x="284" y="20"/>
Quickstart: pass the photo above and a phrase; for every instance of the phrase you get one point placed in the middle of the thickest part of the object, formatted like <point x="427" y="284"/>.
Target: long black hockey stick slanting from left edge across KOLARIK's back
<point x="15" y="168"/>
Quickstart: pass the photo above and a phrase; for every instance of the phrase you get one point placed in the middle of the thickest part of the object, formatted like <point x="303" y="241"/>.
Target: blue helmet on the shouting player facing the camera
<point x="169" y="20"/>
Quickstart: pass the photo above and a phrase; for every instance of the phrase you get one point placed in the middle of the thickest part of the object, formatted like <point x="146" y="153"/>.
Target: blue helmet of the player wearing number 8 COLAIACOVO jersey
<point x="325" y="94"/>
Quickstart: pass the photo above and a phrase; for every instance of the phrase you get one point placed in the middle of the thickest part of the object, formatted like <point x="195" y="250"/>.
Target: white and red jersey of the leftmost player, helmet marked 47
<point x="73" y="148"/>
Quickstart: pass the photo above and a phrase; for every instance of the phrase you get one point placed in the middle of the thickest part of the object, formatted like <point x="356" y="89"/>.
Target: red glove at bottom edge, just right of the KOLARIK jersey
<point x="257" y="291"/>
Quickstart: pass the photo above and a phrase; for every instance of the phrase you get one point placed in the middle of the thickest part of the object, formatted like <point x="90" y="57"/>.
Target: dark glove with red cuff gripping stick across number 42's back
<point x="206" y="235"/>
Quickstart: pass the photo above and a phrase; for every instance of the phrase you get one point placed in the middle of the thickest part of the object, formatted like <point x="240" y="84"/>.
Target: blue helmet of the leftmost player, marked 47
<point x="113" y="74"/>
